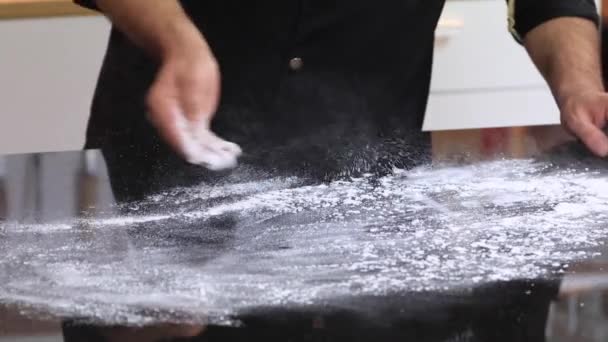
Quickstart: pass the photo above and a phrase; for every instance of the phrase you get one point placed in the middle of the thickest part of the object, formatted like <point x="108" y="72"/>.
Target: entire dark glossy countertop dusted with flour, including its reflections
<point x="499" y="251"/>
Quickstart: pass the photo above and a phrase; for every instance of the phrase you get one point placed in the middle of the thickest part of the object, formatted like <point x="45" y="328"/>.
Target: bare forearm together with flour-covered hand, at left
<point x="186" y="91"/>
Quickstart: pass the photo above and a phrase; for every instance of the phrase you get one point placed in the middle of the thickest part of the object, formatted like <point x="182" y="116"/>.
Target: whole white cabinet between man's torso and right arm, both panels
<point x="481" y="76"/>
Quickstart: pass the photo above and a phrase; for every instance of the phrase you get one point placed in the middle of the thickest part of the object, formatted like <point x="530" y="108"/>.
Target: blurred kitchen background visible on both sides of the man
<point x="487" y="98"/>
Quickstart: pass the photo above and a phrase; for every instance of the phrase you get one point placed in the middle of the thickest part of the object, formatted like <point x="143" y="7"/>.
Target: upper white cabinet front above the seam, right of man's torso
<point x="475" y="50"/>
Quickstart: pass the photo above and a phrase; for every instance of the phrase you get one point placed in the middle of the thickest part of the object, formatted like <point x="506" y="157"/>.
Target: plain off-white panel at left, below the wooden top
<point x="48" y="70"/>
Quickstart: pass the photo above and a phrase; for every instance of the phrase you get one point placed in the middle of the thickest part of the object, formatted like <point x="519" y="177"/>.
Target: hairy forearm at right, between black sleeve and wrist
<point x="567" y="52"/>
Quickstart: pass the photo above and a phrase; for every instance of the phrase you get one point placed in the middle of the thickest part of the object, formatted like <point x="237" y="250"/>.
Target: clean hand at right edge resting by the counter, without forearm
<point x="585" y="114"/>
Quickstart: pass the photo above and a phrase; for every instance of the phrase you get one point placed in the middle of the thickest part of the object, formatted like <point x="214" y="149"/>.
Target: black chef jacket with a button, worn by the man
<point x="328" y="87"/>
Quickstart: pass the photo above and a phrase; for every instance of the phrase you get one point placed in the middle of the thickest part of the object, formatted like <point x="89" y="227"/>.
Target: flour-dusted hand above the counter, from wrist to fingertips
<point x="182" y="102"/>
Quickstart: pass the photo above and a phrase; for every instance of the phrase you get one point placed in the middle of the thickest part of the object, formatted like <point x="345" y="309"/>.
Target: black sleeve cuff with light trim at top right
<point x="524" y="15"/>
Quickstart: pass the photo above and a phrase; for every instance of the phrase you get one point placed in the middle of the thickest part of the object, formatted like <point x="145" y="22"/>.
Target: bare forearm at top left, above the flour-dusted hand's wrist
<point x="159" y="26"/>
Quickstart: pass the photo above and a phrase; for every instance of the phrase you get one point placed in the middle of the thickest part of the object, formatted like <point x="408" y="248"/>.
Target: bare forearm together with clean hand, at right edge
<point x="566" y="51"/>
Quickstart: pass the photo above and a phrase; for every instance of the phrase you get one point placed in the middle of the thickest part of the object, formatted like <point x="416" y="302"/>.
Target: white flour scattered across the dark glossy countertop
<point x="218" y="250"/>
